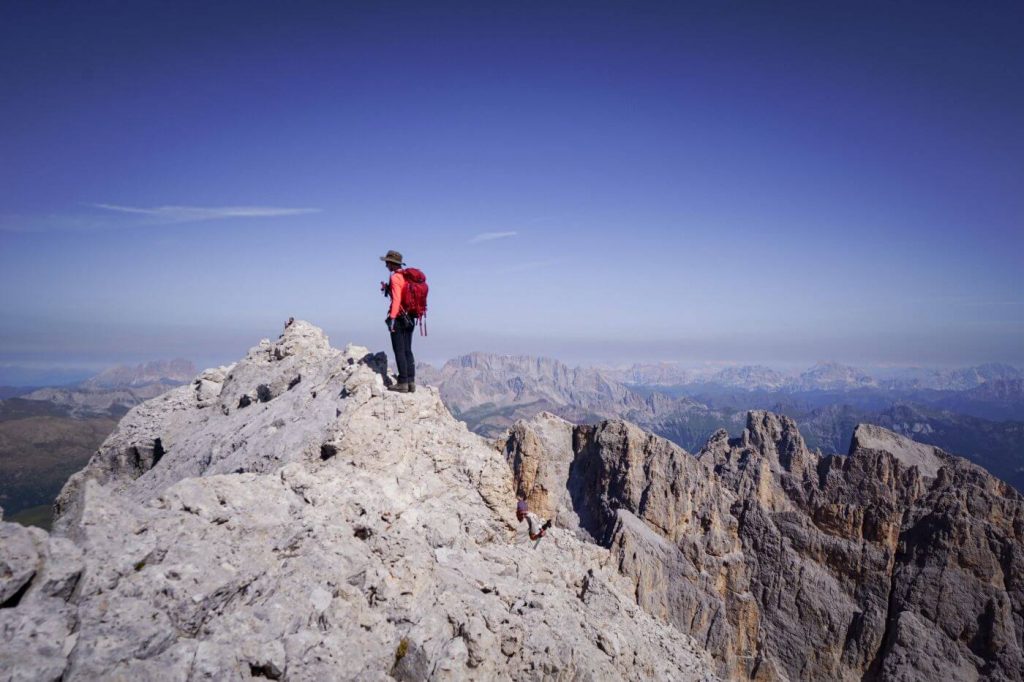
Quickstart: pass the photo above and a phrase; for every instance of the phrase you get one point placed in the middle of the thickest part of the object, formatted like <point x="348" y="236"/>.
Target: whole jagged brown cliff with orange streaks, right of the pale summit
<point x="898" y="562"/>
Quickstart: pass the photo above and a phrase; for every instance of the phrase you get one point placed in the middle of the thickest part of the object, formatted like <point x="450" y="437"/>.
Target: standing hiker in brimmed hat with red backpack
<point x="405" y="310"/>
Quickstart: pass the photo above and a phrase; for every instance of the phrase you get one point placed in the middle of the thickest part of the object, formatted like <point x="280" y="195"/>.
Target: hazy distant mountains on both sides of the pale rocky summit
<point x="977" y="411"/>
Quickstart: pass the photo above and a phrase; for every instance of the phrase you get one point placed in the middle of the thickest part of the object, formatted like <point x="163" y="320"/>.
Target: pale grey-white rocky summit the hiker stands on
<point x="288" y="519"/>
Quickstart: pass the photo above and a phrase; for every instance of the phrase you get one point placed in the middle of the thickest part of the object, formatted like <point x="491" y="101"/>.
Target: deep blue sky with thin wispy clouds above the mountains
<point x="776" y="183"/>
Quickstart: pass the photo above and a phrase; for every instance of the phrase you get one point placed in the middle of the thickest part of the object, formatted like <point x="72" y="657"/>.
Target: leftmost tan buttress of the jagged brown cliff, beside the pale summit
<point x="664" y="517"/>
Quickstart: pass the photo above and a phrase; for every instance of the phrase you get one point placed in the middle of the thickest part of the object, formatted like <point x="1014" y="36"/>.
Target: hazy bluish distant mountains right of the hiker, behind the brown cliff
<point x="978" y="411"/>
